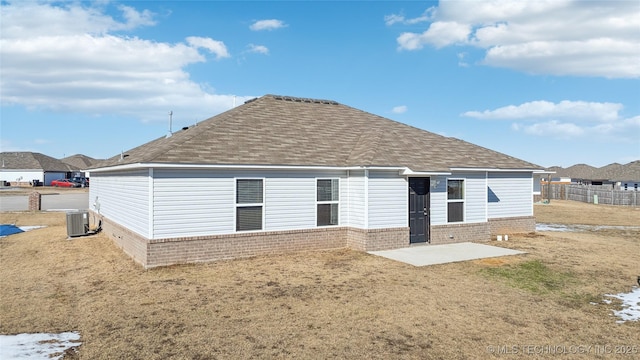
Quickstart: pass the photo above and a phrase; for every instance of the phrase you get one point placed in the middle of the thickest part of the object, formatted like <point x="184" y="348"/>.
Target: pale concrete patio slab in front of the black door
<point x="442" y="254"/>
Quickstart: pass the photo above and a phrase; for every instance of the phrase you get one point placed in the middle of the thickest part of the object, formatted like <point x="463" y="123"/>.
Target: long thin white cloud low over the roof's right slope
<point x="587" y="111"/>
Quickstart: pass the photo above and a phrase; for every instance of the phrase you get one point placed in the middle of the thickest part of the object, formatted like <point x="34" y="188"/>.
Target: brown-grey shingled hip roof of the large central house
<point x="280" y="130"/>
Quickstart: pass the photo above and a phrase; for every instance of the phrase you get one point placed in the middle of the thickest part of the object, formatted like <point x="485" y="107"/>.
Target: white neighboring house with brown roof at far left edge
<point x="22" y="168"/>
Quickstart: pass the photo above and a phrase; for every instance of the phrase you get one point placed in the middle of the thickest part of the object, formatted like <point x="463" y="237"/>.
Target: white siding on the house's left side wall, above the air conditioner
<point x="123" y="198"/>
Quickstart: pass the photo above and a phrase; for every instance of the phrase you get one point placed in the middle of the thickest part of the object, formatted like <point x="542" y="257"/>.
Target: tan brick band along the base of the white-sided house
<point x="163" y="252"/>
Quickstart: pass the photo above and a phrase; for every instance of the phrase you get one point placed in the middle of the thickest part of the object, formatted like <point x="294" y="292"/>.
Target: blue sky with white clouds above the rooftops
<point x="551" y="82"/>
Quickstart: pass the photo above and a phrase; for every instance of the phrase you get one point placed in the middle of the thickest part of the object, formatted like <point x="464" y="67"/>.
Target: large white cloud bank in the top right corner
<point x="559" y="37"/>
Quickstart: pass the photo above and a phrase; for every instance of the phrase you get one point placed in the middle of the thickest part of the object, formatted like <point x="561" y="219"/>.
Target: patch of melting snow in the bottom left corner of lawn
<point x="37" y="346"/>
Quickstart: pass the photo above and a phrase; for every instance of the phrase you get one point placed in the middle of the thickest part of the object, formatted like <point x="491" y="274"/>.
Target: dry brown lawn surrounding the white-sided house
<point x="328" y="304"/>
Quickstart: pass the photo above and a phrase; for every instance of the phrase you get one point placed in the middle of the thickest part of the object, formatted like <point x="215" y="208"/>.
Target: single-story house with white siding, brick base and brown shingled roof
<point x="286" y="174"/>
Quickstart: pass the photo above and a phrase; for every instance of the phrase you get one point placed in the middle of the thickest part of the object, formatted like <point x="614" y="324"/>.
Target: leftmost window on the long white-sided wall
<point x="249" y="204"/>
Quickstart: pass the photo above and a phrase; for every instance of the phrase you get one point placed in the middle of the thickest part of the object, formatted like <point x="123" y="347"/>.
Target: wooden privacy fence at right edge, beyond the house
<point x="598" y="194"/>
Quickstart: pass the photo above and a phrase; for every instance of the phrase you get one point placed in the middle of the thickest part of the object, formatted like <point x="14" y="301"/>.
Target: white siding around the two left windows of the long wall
<point x="202" y="202"/>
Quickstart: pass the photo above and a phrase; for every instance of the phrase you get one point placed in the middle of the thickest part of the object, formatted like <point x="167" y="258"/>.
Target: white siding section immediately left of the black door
<point x="388" y="200"/>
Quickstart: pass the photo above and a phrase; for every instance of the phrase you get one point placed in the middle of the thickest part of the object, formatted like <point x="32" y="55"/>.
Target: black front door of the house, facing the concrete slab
<point x="419" y="210"/>
